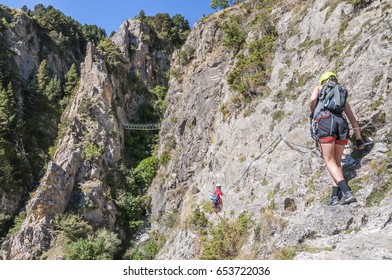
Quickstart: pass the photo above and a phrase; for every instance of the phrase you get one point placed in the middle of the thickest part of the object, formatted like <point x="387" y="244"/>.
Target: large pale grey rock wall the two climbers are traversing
<point x="213" y="137"/>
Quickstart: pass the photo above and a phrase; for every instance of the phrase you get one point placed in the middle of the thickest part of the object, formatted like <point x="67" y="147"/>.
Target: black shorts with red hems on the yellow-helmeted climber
<point x="331" y="128"/>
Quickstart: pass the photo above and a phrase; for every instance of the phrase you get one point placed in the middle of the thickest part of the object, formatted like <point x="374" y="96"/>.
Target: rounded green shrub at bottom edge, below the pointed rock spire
<point x="103" y="245"/>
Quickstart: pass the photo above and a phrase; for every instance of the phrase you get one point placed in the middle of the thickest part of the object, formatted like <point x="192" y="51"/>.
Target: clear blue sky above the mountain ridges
<point x="111" y="14"/>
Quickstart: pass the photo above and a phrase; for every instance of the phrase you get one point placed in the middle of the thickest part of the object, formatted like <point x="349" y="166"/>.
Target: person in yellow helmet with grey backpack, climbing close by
<point x="330" y="129"/>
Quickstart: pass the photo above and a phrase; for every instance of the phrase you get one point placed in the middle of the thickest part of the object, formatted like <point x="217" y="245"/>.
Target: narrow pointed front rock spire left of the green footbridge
<point x="89" y="120"/>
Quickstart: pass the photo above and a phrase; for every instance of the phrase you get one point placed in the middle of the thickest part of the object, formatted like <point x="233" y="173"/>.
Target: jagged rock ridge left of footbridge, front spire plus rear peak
<point x="89" y="148"/>
